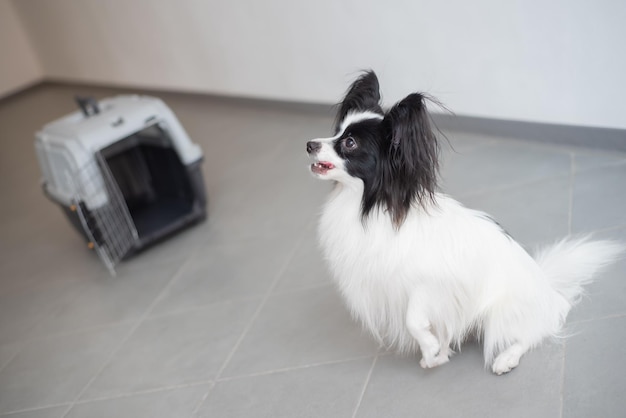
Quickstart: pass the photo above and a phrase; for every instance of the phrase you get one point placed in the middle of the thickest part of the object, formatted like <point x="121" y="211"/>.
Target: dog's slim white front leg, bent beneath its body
<point x="433" y="352"/>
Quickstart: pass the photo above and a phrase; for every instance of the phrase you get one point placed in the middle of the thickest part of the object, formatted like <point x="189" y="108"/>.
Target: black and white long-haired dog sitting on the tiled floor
<point x="418" y="269"/>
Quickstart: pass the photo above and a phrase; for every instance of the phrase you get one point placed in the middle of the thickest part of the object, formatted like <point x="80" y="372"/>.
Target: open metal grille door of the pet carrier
<point x="103" y="212"/>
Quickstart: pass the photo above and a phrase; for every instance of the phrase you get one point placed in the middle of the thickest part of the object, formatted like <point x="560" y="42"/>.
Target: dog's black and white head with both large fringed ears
<point x="393" y="155"/>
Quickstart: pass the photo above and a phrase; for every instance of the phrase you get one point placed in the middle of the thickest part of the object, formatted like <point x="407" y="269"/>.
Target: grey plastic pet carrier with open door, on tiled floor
<point x="124" y="172"/>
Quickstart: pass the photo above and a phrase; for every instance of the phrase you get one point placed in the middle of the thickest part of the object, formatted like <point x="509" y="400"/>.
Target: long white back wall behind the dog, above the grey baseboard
<point x="558" y="61"/>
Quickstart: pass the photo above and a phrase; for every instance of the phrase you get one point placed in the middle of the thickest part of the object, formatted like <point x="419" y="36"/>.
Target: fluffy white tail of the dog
<point x="572" y="263"/>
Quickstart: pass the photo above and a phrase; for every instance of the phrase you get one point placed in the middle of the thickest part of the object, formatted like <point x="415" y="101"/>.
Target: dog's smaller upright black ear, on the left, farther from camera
<point x="363" y="95"/>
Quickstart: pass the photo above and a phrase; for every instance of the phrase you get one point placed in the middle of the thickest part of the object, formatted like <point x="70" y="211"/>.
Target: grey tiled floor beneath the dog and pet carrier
<point x="238" y="318"/>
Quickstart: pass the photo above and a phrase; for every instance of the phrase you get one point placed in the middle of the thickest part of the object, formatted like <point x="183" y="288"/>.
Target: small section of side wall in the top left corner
<point x="18" y="64"/>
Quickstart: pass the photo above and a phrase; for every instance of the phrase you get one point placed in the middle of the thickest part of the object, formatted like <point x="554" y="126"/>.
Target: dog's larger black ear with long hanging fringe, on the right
<point x="413" y="165"/>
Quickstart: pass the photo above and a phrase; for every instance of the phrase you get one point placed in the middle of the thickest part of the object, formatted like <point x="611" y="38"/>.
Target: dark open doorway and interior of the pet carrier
<point x="161" y="193"/>
